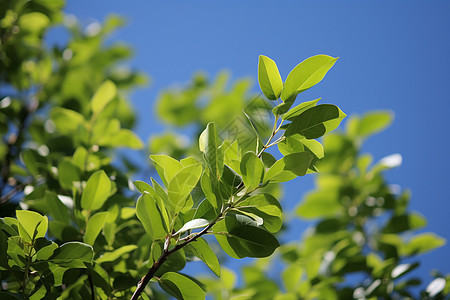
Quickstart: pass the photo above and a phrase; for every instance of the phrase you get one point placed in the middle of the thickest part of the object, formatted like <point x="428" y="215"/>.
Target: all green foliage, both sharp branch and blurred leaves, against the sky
<point x="71" y="226"/>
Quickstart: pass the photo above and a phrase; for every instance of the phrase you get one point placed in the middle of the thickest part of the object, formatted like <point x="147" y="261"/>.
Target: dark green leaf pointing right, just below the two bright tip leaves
<point x="316" y="121"/>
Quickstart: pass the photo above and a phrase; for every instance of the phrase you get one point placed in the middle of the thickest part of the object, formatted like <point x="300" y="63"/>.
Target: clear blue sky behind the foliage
<point x="393" y="55"/>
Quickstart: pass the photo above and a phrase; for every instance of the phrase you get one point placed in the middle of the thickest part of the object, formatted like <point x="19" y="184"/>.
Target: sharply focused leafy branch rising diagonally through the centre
<point x="221" y="194"/>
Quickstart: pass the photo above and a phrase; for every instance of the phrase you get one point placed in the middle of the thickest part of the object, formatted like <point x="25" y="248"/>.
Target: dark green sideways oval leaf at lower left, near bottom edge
<point x="73" y="254"/>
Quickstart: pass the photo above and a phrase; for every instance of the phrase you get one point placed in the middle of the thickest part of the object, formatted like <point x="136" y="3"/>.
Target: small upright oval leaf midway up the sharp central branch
<point x="252" y="170"/>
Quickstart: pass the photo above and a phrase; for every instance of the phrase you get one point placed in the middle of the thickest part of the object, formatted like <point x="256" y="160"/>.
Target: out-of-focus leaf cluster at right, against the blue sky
<point x="364" y="229"/>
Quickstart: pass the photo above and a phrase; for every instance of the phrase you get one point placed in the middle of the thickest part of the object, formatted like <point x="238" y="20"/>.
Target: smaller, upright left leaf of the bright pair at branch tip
<point x="269" y="78"/>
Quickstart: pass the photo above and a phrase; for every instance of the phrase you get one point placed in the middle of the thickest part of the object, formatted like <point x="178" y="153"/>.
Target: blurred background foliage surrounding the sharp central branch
<point x="57" y="133"/>
